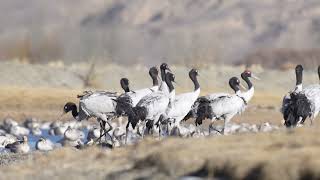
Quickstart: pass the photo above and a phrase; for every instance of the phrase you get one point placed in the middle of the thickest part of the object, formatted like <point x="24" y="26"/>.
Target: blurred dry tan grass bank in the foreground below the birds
<point x="290" y="154"/>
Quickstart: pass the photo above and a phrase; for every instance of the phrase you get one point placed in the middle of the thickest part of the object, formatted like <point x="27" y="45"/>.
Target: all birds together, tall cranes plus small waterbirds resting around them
<point x="157" y="111"/>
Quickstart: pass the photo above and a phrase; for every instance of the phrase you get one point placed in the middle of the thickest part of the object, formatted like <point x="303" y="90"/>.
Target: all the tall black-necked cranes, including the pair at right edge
<point x="159" y="105"/>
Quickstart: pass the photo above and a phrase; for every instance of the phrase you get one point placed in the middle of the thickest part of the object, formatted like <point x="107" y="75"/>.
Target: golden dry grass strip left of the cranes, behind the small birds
<point x="43" y="103"/>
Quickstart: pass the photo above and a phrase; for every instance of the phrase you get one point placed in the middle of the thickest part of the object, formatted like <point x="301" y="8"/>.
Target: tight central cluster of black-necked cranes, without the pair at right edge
<point x="159" y="105"/>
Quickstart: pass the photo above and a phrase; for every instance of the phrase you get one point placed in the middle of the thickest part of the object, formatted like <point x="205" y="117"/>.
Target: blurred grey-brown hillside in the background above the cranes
<point x="273" y="33"/>
